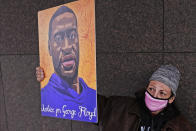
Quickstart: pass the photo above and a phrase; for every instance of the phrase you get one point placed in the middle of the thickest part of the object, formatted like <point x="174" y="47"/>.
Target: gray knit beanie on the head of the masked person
<point x="168" y="75"/>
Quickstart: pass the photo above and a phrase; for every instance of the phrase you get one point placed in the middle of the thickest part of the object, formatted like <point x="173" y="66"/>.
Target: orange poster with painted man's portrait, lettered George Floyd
<point x="68" y="58"/>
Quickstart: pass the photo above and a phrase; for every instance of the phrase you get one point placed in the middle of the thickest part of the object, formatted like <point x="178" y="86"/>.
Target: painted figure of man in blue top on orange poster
<point x="66" y="95"/>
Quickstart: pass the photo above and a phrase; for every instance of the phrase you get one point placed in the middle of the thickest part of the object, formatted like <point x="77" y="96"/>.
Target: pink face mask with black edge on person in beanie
<point x="154" y="104"/>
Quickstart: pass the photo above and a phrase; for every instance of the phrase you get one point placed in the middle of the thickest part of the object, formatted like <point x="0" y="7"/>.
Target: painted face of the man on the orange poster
<point x="64" y="45"/>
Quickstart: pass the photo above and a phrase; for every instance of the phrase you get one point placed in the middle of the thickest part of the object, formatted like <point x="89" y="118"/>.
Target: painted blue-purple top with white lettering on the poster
<point x="58" y="99"/>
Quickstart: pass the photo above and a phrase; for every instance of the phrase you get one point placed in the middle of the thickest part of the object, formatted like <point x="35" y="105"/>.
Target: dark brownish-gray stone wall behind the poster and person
<point x="133" y="38"/>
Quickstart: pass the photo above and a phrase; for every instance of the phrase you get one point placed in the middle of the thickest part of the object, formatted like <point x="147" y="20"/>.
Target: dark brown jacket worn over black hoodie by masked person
<point x="120" y="113"/>
